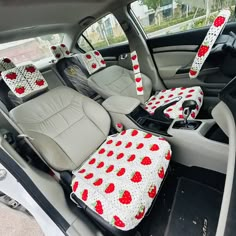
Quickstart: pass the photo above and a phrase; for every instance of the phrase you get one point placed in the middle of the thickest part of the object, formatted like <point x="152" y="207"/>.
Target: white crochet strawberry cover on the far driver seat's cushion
<point x="175" y="111"/>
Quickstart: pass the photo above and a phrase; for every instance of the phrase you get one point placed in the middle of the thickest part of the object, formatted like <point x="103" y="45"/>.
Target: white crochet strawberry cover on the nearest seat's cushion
<point x="121" y="179"/>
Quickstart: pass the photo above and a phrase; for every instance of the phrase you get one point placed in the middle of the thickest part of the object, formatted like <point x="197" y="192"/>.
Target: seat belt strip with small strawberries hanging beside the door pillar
<point x="137" y="75"/>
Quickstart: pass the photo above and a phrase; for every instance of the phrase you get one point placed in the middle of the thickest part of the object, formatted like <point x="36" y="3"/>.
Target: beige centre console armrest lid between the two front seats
<point x="120" y="104"/>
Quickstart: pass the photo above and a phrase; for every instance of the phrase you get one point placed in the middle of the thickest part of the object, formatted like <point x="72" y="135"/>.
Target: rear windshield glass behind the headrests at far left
<point x="33" y="50"/>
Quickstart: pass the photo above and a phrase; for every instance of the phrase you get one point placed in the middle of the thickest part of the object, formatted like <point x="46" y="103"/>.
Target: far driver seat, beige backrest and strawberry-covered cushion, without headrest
<point x="116" y="80"/>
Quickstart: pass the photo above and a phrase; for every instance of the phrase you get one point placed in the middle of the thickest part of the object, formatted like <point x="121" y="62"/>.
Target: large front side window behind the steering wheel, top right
<point x="162" y="17"/>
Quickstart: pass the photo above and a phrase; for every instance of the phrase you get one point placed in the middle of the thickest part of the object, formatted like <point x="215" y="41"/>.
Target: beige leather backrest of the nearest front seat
<point x="67" y="127"/>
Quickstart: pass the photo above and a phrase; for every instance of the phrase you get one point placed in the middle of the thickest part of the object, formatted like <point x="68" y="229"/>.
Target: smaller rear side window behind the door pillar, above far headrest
<point x="104" y="33"/>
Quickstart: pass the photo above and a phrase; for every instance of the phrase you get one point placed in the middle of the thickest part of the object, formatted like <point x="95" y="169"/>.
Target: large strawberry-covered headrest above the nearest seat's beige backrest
<point x="24" y="81"/>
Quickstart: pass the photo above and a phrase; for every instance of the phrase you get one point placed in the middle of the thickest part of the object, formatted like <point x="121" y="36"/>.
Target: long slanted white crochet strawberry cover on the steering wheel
<point x="208" y="42"/>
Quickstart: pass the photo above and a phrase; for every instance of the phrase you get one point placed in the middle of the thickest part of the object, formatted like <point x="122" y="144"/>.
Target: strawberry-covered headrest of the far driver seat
<point x="93" y="61"/>
